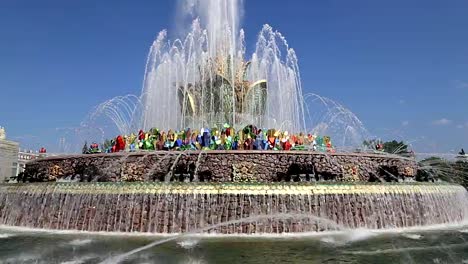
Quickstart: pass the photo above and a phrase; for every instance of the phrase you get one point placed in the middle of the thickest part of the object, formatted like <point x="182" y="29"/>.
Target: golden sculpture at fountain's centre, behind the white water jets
<point x="223" y="84"/>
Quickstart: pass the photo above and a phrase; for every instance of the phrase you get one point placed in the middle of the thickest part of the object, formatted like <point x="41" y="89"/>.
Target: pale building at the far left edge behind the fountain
<point x="8" y="157"/>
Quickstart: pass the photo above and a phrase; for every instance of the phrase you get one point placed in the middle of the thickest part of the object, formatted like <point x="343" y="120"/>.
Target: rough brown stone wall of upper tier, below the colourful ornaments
<point x="222" y="166"/>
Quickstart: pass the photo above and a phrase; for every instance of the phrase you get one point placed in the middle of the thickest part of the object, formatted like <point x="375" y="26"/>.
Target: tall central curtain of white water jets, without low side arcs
<point x="206" y="78"/>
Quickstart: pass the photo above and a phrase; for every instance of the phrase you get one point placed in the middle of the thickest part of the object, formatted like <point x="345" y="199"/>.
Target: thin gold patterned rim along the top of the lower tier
<point x="230" y="188"/>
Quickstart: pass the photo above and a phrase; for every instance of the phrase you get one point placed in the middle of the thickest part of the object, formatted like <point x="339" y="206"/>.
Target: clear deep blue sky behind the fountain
<point x="401" y="66"/>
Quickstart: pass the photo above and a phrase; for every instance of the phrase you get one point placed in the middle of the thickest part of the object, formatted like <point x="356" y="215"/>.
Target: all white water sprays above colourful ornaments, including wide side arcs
<point x="207" y="78"/>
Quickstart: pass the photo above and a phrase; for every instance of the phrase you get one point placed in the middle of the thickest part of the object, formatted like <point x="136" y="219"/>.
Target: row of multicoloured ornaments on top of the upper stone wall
<point x="225" y="138"/>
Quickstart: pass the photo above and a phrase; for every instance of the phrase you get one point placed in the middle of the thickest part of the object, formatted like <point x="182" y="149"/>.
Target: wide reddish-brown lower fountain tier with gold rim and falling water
<point x="233" y="208"/>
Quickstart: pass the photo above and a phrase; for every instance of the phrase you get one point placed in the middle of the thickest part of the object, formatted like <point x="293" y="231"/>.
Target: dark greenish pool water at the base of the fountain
<point x="429" y="246"/>
